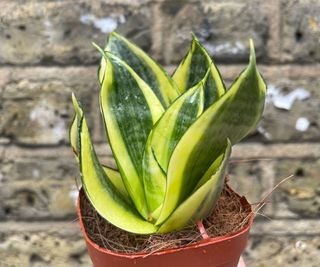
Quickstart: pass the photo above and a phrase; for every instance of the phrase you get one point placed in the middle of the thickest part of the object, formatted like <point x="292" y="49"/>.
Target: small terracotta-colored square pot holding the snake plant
<point x="222" y="251"/>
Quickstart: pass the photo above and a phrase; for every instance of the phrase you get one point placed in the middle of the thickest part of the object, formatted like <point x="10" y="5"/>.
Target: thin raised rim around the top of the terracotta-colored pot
<point x="199" y="244"/>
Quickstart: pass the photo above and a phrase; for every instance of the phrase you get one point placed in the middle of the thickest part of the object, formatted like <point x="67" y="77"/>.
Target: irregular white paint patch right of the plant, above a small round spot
<point x="285" y="101"/>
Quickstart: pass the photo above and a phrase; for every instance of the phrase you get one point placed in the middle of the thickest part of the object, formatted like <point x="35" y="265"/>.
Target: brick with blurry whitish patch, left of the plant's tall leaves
<point x="36" y="103"/>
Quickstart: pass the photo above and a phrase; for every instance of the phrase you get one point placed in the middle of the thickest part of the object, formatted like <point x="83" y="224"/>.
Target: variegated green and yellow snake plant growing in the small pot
<point x="171" y="136"/>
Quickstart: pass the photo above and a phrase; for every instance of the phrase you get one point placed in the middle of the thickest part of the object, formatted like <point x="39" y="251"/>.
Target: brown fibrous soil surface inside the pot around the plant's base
<point x="227" y="217"/>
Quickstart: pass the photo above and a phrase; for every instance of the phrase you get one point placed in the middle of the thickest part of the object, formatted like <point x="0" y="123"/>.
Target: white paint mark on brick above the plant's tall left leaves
<point x="105" y="25"/>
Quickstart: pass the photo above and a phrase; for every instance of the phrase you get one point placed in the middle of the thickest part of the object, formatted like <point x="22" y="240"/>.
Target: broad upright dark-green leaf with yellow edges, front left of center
<point x="130" y="109"/>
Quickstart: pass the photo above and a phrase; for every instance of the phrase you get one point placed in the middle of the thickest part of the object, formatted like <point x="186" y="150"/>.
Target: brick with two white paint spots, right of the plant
<point x="279" y="124"/>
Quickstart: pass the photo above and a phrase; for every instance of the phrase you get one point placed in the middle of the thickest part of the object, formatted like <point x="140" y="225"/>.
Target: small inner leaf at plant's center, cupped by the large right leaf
<point x="175" y="121"/>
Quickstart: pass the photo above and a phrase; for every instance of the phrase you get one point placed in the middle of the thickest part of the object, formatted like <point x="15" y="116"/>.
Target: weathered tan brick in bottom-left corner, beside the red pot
<point x="42" y="244"/>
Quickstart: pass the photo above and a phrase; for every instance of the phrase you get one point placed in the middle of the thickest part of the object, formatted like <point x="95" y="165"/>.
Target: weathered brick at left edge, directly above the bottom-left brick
<point x="40" y="183"/>
